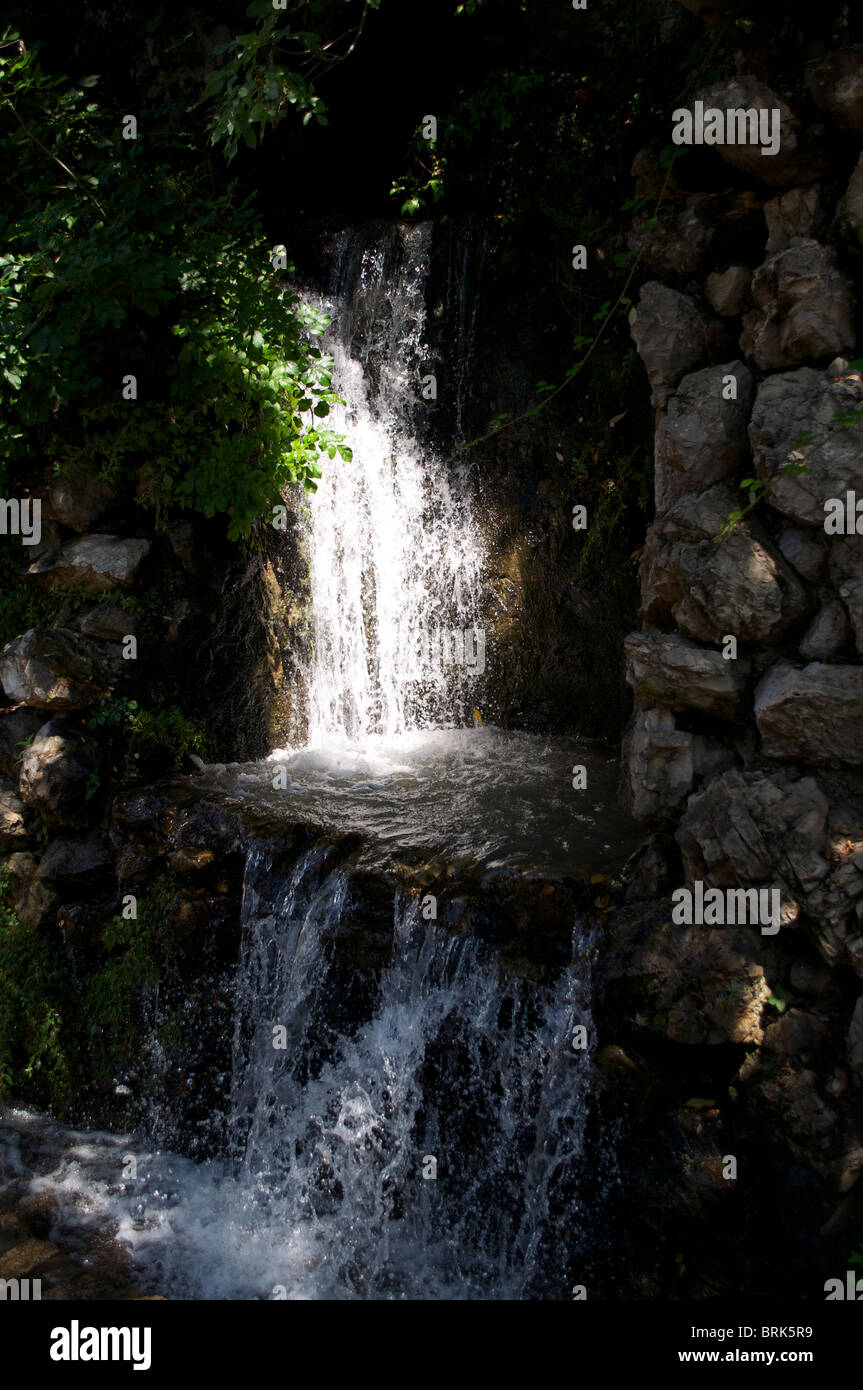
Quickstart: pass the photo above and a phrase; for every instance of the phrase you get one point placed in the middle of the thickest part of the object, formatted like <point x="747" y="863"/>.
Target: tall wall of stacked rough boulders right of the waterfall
<point x="746" y="749"/>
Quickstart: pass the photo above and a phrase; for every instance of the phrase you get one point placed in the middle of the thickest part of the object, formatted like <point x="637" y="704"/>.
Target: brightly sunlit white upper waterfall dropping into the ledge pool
<point x="395" y="554"/>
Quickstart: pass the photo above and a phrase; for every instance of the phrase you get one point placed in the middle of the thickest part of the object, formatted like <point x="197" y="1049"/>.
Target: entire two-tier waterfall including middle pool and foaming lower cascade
<point x="411" y="1128"/>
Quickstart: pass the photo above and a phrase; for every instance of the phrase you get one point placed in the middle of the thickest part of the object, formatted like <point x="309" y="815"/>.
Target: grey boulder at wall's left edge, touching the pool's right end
<point x="662" y="762"/>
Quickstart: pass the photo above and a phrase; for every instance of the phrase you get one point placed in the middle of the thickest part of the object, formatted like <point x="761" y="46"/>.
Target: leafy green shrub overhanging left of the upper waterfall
<point x="126" y="259"/>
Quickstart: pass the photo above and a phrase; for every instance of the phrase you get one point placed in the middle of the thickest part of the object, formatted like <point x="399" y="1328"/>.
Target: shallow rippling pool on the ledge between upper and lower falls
<point x="487" y="796"/>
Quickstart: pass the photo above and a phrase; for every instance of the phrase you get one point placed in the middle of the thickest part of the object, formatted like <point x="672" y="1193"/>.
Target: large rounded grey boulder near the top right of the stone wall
<point x="805" y="308"/>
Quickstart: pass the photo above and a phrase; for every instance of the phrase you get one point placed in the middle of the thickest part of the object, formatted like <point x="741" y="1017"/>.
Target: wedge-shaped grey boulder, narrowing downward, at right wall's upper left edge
<point x="673" y="336"/>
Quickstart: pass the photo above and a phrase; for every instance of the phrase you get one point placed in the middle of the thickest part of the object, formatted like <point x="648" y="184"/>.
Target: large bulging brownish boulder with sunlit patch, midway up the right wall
<point x="712" y="589"/>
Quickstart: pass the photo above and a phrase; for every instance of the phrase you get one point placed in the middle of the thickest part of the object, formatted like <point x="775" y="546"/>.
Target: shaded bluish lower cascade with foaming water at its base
<point x="430" y="1150"/>
